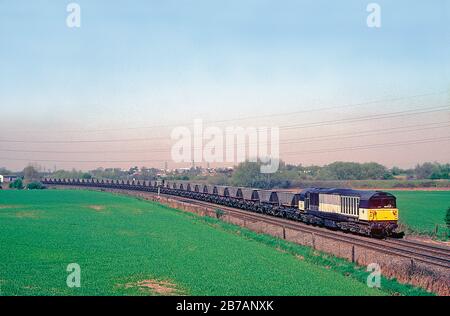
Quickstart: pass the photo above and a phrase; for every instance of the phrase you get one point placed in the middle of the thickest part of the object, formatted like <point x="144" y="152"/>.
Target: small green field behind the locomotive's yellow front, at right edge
<point x="422" y="210"/>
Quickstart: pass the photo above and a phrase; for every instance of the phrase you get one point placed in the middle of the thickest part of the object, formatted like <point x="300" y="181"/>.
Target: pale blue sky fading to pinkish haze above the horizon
<point x="109" y="94"/>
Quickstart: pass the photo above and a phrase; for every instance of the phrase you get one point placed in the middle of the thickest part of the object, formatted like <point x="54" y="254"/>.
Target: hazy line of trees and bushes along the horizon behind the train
<point x="248" y="174"/>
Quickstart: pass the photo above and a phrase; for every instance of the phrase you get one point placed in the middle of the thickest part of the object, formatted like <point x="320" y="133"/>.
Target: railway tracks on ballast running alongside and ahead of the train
<point x="421" y="252"/>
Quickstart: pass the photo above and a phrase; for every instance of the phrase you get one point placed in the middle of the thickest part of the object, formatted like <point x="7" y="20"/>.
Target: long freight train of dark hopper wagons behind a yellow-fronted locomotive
<point x="370" y="213"/>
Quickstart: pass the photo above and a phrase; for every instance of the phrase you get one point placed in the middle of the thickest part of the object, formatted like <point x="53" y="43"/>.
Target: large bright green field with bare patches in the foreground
<point x="125" y="246"/>
